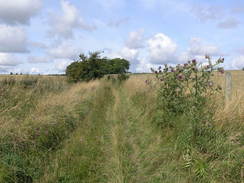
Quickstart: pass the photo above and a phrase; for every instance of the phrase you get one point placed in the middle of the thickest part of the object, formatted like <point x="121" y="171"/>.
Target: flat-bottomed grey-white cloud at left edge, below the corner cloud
<point x="12" y="39"/>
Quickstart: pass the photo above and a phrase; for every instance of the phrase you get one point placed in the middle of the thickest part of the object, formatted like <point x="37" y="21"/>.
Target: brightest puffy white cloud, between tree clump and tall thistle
<point x="161" y="49"/>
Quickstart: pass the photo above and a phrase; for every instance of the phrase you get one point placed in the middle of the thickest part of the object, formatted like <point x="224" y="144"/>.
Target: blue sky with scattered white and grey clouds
<point x="44" y="36"/>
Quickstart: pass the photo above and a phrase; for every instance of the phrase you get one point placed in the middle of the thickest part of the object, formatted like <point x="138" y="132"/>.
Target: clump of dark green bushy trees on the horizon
<point x="95" y="66"/>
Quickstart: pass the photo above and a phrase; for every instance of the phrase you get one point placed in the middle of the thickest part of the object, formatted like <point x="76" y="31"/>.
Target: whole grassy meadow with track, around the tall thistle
<point x="52" y="131"/>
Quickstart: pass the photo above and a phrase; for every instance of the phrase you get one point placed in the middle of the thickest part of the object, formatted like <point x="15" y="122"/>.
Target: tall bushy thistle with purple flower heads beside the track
<point x="186" y="89"/>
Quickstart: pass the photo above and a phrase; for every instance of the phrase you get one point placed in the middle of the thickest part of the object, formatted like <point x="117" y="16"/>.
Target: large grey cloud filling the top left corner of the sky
<point x="18" y="11"/>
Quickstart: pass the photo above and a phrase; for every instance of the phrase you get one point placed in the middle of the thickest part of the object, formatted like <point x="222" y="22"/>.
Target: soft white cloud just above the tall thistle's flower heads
<point x="199" y="48"/>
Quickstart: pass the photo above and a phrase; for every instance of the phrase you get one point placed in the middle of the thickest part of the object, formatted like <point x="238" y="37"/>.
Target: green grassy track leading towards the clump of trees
<point x="114" y="144"/>
